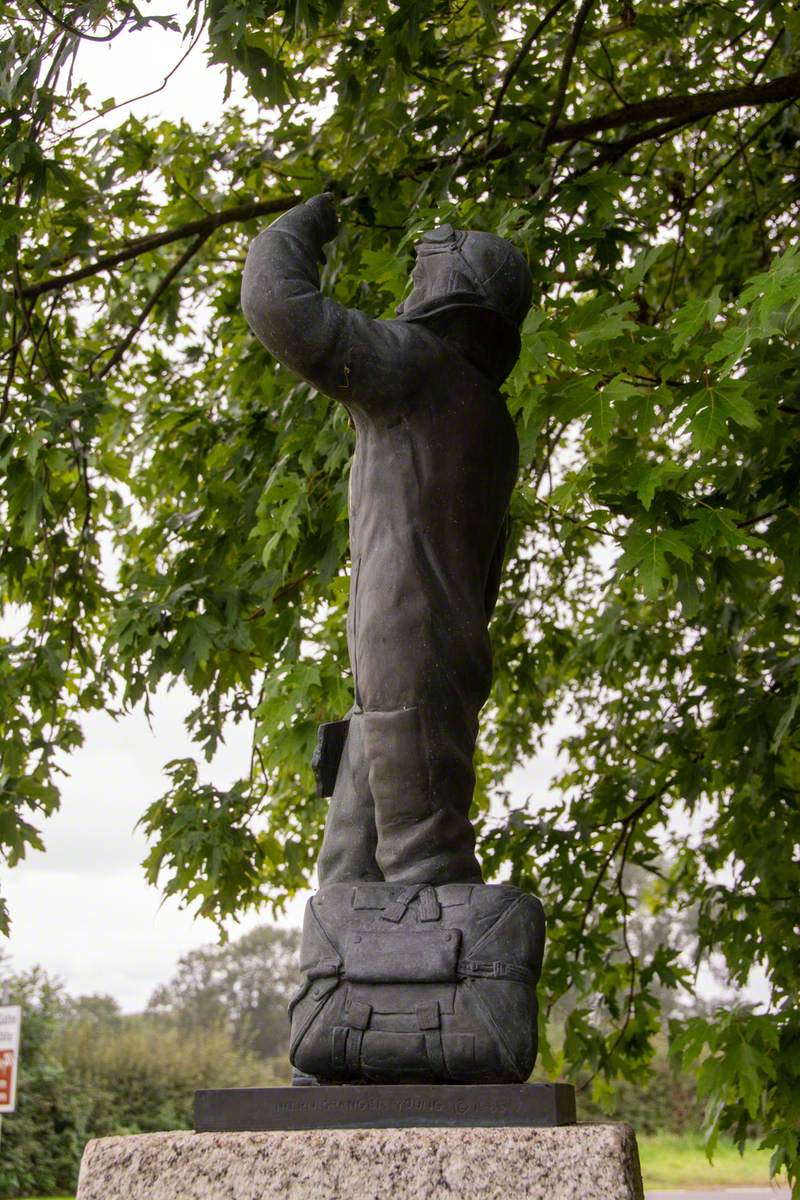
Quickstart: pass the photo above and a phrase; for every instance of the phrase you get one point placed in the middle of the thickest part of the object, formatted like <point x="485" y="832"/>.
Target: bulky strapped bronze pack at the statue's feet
<point x="419" y="985"/>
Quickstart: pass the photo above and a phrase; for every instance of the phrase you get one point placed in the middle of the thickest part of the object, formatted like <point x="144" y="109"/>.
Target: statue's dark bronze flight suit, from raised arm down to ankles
<point x="435" y="466"/>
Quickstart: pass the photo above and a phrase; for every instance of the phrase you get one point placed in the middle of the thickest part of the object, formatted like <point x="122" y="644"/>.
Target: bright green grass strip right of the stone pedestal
<point x="672" y="1162"/>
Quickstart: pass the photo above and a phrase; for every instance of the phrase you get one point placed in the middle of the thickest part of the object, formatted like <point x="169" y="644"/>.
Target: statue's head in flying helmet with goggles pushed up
<point x="467" y="269"/>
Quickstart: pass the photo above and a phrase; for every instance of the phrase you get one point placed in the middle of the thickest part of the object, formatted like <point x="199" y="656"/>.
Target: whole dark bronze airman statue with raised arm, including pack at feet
<point x="434" y="471"/>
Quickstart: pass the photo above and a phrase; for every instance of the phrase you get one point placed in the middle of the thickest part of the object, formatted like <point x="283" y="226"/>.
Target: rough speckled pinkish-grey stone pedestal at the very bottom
<point x="566" y="1163"/>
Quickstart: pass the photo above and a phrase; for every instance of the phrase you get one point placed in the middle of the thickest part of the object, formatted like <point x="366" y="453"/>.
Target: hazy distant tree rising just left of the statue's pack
<point x="244" y="987"/>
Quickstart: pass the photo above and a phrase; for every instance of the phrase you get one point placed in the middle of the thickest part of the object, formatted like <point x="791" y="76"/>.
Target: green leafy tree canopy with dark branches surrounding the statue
<point x="645" y="160"/>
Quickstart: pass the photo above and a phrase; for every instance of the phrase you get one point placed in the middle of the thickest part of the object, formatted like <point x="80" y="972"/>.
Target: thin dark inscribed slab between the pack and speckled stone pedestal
<point x="383" y="1107"/>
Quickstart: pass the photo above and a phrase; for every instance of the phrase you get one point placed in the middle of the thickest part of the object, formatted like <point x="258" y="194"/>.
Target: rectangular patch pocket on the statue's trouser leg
<point x="400" y="775"/>
